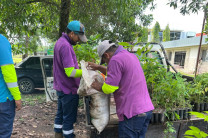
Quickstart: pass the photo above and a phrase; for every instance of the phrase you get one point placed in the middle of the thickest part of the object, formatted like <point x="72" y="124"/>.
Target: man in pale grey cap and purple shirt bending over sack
<point x="126" y="80"/>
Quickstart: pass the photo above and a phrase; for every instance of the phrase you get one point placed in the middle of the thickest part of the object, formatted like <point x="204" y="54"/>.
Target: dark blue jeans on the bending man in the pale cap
<point x="134" y="127"/>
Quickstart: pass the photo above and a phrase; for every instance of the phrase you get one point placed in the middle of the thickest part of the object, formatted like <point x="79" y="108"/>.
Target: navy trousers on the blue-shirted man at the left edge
<point x="7" y="114"/>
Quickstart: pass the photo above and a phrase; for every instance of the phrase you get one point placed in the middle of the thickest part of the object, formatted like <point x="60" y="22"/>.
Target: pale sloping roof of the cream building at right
<point x="194" y="41"/>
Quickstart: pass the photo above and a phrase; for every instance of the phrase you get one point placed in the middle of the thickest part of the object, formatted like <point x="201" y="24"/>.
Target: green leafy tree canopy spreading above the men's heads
<point x="113" y="19"/>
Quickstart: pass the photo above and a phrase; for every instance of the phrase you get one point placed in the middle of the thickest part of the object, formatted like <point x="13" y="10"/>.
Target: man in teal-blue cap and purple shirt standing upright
<point x="66" y="79"/>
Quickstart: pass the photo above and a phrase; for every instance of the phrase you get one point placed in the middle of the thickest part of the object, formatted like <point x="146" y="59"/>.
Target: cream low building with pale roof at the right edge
<point x="183" y="54"/>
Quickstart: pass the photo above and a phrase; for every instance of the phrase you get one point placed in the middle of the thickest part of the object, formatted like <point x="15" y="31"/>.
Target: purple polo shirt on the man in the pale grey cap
<point x="132" y="97"/>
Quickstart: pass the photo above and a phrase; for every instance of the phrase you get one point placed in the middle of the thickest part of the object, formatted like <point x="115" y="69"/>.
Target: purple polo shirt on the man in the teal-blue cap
<point x="64" y="57"/>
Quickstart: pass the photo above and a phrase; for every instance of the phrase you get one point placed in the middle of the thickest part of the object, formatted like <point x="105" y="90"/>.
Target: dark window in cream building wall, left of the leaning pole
<point x="180" y="58"/>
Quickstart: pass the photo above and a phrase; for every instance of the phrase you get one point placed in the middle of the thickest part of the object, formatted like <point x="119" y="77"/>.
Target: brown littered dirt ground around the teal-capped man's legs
<point x="35" y="120"/>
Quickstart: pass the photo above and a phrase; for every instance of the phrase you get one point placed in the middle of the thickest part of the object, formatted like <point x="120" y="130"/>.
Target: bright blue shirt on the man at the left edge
<point x="5" y="58"/>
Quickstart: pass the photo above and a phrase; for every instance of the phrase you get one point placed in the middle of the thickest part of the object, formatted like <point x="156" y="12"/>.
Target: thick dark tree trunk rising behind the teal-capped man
<point x="64" y="15"/>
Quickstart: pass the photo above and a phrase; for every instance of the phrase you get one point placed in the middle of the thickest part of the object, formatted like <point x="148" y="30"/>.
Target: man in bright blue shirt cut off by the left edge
<point x="10" y="97"/>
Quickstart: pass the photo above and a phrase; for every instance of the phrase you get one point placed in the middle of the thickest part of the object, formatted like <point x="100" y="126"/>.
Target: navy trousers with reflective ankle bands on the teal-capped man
<point x="66" y="114"/>
